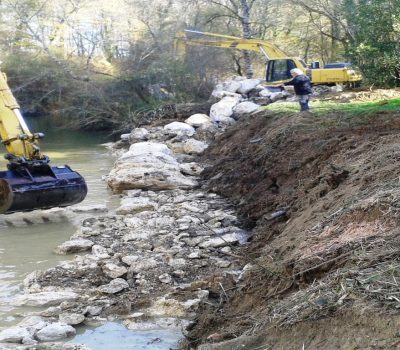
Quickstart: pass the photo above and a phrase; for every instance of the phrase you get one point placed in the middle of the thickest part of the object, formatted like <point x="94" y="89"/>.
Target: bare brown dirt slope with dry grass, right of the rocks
<point x="322" y="197"/>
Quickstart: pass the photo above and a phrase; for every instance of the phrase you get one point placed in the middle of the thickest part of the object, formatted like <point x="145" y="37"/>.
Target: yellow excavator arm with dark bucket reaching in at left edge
<point x="30" y="182"/>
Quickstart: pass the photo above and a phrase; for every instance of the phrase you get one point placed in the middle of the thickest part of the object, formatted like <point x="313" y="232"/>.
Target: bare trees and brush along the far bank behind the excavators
<point x="100" y="65"/>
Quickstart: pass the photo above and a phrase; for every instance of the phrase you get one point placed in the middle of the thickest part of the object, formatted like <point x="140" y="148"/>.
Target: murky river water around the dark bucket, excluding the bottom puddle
<point x="28" y="246"/>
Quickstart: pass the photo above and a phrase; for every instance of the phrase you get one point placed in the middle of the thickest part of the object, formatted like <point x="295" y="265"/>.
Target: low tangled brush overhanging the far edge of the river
<point x="79" y="97"/>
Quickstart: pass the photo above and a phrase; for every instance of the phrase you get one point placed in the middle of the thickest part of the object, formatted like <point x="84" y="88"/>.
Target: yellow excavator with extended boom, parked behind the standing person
<point x="279" y="64"/>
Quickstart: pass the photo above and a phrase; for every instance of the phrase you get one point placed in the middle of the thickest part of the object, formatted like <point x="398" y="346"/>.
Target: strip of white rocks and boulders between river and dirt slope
<point x="167" y="249"/>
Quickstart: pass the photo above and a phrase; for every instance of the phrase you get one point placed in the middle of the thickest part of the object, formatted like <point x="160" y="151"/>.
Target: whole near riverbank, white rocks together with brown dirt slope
<point x="235" y="227"/>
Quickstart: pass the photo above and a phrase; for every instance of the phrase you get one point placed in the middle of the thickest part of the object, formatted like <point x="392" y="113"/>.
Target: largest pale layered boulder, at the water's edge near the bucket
<point x="150" y="166"/>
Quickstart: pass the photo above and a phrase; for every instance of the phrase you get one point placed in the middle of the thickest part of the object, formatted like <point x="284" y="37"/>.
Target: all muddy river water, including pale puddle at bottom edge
<point x="25" y="248"/>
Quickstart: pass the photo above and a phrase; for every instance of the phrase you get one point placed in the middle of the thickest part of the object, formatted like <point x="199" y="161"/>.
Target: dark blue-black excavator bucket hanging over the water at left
<point x="26" y="189"/>
